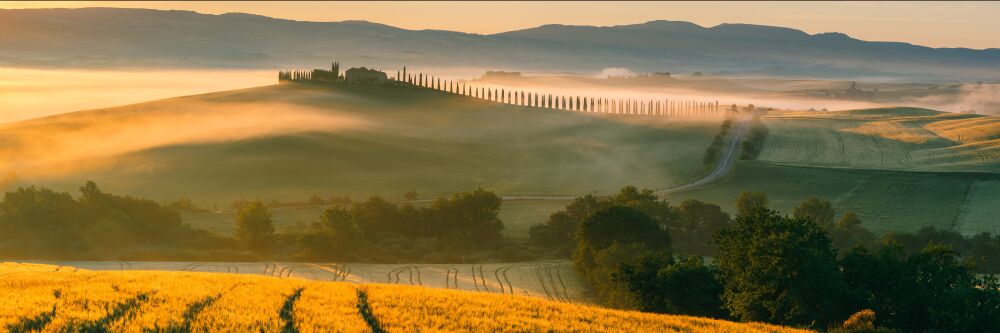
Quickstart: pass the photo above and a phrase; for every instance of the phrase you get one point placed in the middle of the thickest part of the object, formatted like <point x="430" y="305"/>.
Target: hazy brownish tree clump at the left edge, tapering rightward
<point x="39" y="223"/>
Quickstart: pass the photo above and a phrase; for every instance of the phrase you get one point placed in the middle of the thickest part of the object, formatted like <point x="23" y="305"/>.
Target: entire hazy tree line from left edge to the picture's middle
<point x="38" y="223"/>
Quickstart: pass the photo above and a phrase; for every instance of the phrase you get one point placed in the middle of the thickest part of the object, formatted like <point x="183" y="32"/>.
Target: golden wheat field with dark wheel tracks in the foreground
<point x="49" y="298"/>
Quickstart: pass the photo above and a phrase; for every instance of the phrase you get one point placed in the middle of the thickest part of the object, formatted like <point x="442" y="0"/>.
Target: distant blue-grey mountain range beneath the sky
<point x="114" y="37"/>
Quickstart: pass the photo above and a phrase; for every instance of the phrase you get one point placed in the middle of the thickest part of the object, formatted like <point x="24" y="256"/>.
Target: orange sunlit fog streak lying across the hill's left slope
<point x="75" y="142"/>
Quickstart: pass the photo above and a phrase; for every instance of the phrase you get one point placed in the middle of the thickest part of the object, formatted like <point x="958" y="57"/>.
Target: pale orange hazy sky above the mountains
<point x="936" y="24"/>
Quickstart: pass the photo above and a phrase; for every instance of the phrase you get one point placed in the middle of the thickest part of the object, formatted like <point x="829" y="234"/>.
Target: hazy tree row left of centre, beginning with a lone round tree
<point x="379" y="230"/>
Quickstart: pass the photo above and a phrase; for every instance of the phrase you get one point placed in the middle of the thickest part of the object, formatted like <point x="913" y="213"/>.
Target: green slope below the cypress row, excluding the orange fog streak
<point x="412" y="140"/>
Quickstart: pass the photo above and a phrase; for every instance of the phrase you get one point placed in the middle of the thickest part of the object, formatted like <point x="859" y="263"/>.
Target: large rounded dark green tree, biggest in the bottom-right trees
<point x="780" y="270"/>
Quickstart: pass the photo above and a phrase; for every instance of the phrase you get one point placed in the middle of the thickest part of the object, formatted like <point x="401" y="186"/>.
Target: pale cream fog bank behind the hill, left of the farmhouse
<point x="31" y="93"/>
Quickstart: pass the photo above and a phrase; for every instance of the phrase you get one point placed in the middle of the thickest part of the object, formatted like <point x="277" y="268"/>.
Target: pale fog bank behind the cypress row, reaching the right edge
<point x="762" y="91"/>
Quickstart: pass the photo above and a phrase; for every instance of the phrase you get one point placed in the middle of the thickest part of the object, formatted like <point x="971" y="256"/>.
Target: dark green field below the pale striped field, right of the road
<point x="884" y="199"/>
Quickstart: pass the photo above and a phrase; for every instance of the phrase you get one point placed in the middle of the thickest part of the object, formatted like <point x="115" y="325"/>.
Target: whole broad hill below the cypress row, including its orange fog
<point x="291" y="140"/>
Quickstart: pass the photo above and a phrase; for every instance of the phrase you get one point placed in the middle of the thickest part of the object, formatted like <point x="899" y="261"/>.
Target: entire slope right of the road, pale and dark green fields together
<point x="899" y="168"/>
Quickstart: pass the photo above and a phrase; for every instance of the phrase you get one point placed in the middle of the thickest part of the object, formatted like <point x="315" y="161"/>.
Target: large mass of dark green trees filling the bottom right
<point x="785" y="270"/>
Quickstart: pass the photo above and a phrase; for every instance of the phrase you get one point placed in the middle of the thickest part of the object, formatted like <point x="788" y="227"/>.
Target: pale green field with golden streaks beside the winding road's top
<point x="894" y="138"/>
